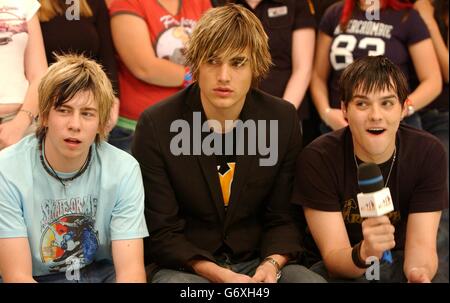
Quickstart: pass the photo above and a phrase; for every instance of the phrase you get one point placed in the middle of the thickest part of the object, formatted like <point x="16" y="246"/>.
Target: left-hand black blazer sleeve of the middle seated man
<point x="168" y="246"/>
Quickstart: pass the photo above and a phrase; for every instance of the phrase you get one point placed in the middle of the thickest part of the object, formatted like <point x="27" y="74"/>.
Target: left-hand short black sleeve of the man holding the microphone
<point x="315" y="187"/>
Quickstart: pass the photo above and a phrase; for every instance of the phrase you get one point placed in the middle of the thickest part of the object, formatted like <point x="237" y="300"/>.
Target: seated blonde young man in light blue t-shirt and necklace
<point x="71" y="205"/>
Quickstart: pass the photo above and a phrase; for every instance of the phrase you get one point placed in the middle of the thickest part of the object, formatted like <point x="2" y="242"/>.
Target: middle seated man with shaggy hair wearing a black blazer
<point x="218" y="211"/>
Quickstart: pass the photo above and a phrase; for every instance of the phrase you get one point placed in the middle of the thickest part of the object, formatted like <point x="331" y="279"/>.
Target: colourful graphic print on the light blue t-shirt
<point x="68" y="232"/>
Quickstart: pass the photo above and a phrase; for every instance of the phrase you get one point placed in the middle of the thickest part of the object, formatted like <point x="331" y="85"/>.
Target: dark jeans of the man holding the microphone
<point x="389" y="273"/>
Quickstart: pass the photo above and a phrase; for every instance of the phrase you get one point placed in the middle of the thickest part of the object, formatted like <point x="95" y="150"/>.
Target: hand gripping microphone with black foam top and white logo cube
<point x="374" y="202"/>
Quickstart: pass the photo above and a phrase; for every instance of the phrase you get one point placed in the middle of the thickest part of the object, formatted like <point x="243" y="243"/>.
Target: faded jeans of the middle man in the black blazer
<point x="291" y="273"/>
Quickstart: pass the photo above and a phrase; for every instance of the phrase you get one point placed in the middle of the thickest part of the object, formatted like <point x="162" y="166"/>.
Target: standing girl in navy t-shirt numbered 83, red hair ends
<point x="353" y="29"/>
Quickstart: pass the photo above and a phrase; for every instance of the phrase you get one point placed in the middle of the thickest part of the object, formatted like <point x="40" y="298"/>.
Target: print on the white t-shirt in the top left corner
<point x="12" y="22"/>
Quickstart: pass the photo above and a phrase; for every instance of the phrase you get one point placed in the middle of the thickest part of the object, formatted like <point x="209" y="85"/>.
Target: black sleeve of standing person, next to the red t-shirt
<point x="106" y="55"/>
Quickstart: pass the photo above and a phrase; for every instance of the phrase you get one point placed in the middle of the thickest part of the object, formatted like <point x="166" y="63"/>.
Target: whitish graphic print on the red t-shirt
<point x="171" y="43"/>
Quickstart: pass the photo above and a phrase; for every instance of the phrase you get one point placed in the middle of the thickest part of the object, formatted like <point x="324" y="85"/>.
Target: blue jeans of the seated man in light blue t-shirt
<point x="97" y="272"/>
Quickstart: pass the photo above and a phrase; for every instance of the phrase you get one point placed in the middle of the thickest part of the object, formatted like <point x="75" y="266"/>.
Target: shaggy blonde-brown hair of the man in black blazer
<point x="226" y="31"/>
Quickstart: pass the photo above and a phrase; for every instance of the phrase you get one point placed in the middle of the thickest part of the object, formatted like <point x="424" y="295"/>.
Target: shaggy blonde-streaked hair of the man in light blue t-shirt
<point x="69" y="75"/>
